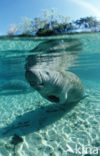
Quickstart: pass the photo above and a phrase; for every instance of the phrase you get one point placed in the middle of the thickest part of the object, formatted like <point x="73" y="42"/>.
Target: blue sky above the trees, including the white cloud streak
<point x="12" y="11"/>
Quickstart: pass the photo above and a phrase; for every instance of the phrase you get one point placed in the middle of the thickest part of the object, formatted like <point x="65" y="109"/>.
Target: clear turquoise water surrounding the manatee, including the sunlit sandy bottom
<point x="24" y="112"/>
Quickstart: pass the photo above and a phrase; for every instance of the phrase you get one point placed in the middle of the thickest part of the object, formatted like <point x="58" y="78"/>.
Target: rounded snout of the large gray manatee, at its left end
<point x="33" y="76"/>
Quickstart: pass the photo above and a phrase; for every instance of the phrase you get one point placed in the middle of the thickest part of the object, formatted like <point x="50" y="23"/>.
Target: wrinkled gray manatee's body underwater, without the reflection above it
<point x="57" y="86"/>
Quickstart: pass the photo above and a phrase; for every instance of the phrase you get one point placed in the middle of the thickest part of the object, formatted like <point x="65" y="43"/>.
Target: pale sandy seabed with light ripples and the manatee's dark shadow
<point x="45" y="129"/>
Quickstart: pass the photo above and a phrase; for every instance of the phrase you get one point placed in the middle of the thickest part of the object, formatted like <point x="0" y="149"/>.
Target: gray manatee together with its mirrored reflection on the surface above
<point x="48" y="70"/>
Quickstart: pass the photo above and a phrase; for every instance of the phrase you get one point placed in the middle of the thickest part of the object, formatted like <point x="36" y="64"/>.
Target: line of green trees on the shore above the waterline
<point x="51" y="24"/>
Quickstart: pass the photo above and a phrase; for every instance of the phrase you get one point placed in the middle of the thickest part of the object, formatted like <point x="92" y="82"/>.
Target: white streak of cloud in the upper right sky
<point x="89" y="6"/>
